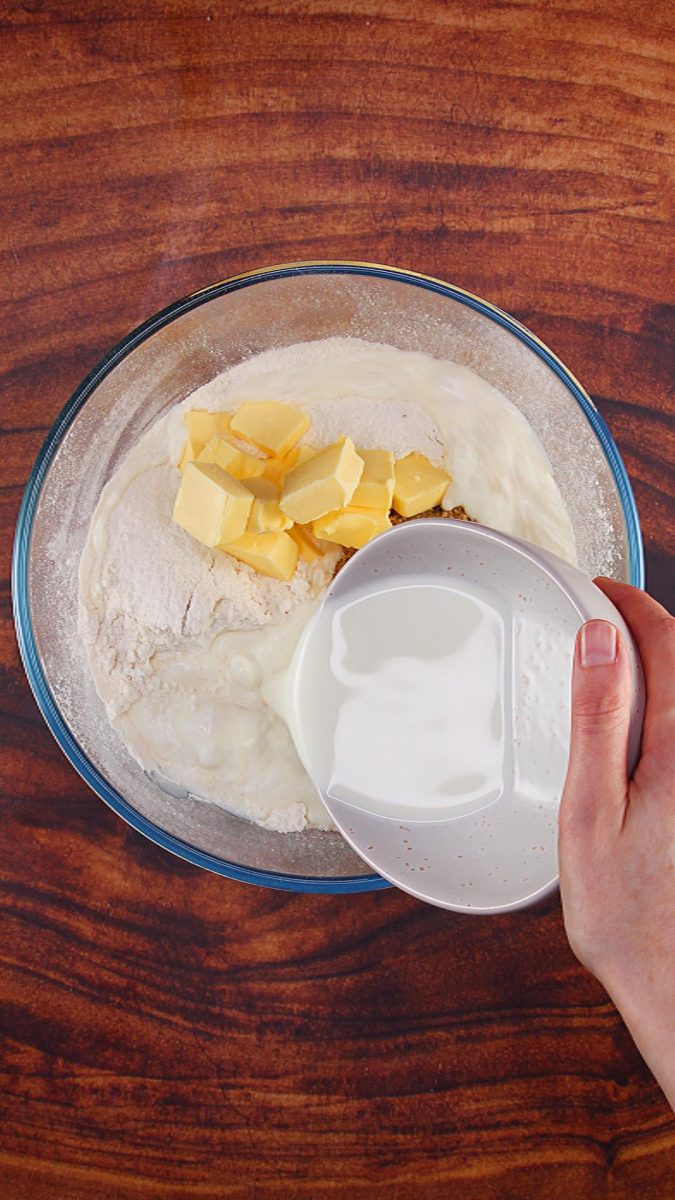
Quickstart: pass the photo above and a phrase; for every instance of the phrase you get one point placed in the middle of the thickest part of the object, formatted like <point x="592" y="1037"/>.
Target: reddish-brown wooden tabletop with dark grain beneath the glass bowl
<point x="168" y="1034"/>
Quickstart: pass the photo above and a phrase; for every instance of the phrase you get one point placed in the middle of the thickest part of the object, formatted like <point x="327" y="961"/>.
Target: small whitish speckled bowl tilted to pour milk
<point x="494" y="850"/>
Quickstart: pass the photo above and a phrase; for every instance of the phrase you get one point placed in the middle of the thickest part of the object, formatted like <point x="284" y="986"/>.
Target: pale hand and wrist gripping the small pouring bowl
<point x="618" y="835"/>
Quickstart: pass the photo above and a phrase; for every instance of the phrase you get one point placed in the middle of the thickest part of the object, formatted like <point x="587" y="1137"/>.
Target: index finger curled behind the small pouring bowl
<point x="654" y="629"/>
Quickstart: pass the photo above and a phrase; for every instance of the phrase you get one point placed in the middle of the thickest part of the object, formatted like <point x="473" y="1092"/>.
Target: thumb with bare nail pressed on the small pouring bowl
<point x="598" y="779"/>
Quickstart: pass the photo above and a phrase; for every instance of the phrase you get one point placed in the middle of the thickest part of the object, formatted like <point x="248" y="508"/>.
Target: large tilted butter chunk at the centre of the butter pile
<point x="322" y="484"/>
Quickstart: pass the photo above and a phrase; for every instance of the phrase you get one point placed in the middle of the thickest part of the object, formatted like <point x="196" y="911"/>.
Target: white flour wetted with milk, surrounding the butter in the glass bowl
<point x="181" y="638"/>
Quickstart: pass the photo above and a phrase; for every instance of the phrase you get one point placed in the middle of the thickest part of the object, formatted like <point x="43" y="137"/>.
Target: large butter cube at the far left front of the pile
<point x="211" y="505"/>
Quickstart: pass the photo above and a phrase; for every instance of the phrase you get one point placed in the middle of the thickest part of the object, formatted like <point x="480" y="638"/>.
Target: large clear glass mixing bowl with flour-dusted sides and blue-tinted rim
<point x="162" y="363"/>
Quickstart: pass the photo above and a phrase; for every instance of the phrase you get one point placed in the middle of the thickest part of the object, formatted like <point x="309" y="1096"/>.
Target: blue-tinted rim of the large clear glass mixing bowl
<point x="23" y="623"/>
